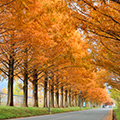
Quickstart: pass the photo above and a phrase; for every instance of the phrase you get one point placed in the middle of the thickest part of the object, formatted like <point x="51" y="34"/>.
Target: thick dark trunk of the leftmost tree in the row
<point x="10" y="82"/>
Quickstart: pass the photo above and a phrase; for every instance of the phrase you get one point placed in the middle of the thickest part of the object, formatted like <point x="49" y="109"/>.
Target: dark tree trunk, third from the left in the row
<point x="35" y="88"/>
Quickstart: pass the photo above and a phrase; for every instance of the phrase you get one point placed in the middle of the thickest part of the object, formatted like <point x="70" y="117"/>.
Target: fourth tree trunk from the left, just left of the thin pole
<point x="45" y="90"/>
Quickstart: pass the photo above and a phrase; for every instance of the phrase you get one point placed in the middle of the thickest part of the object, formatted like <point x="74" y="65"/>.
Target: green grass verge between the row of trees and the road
<point x="16" y="112"/>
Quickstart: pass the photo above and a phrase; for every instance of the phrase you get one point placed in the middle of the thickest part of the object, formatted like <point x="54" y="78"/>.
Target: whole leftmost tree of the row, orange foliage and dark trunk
<point x="7" y="51"/>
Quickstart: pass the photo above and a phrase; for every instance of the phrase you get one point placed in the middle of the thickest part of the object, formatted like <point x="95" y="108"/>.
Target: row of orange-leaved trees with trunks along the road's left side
<point x="41" y="39"/>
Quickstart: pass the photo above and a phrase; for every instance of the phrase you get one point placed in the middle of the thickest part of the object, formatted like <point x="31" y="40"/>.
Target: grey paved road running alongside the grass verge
<point x="94" y="114"/>
